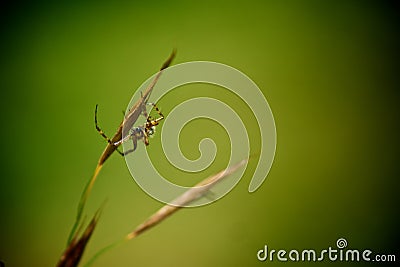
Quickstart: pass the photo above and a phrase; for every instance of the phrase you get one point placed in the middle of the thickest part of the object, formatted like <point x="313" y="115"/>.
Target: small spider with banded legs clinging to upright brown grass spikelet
<point x="136" y="133"/>
